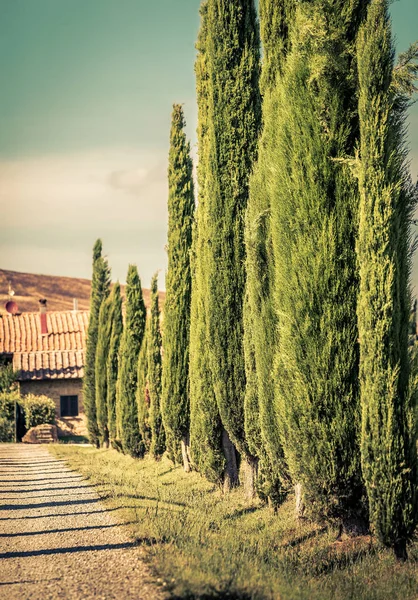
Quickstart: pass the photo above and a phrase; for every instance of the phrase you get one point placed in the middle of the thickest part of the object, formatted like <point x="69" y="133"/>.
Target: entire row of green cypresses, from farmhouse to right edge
<point x="285" y="342"/>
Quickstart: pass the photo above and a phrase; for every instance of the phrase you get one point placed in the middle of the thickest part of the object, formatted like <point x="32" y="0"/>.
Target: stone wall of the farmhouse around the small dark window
<point x="54" y="388"/>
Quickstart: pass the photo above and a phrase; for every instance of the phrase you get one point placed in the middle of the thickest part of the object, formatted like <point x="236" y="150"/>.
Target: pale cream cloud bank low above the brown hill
<point x="54" y="207"/>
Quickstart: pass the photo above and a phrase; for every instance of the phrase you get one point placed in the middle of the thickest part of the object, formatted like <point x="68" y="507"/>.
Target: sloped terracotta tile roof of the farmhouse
<point x="57" y="354"/>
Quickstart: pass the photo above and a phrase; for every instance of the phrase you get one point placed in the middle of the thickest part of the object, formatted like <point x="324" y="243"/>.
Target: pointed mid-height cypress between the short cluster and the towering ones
<point x="175" y="400"/>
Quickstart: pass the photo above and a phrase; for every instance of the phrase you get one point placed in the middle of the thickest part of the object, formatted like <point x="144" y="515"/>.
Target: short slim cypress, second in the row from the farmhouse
<point x="102" y="352"/>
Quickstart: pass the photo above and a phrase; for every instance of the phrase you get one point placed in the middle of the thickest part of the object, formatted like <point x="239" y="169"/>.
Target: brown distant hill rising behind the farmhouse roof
<point x="59" y="291"/>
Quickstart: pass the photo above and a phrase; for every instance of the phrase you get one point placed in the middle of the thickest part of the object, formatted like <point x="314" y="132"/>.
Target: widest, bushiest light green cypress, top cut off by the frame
<point x="314" y="203"/>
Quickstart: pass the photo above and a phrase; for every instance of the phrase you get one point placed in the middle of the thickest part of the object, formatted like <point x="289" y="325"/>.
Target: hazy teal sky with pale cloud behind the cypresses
<point x="86" y="89"/>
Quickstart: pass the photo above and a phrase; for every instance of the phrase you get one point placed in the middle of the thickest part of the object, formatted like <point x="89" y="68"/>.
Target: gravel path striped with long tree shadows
<point x="57" y="540"/>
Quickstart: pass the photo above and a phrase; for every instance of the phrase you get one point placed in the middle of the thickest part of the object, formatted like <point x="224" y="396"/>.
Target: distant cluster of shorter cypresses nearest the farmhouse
<point x="120" y="354"/>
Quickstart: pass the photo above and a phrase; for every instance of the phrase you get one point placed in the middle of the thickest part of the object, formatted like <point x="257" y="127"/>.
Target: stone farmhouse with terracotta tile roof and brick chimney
<point x="47" y="351"/>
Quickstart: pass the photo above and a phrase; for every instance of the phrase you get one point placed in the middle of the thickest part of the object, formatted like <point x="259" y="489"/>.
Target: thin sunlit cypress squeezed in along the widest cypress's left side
<point x="260" y="339"/>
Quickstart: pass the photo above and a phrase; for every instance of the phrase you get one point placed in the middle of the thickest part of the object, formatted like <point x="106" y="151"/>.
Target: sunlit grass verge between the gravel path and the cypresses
<point x="203" y="545"/>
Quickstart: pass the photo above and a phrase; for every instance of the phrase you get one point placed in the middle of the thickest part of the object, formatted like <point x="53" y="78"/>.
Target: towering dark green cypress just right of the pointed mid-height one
<point x="233" y="129"/>
